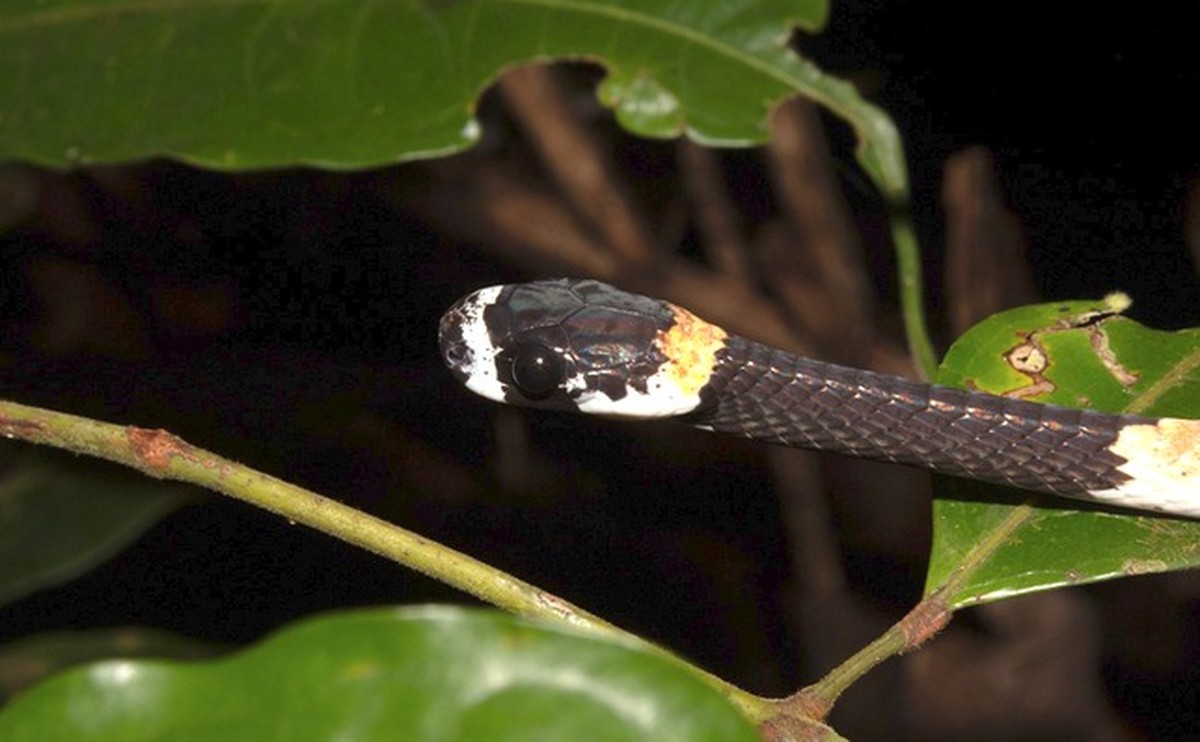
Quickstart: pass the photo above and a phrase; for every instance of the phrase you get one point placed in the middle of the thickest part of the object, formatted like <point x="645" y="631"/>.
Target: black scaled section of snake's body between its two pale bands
<point x="771" y="396"/>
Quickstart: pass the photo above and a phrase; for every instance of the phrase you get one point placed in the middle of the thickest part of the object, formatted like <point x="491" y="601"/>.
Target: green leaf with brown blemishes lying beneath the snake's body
<point x="1082" y="355"/>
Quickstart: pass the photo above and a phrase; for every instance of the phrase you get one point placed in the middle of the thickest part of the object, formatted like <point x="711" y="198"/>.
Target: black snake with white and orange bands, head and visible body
<point x="581" y="345"/>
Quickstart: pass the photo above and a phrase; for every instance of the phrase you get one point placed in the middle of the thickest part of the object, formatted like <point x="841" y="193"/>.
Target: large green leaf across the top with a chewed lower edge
<point x="357" y="85"/>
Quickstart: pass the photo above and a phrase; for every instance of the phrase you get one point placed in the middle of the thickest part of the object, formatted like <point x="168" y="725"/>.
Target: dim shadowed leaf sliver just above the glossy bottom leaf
<point x="29" y="661"/>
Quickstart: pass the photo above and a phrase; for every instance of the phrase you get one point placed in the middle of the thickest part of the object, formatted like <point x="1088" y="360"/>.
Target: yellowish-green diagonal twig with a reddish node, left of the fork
<point x="164" y="456"/>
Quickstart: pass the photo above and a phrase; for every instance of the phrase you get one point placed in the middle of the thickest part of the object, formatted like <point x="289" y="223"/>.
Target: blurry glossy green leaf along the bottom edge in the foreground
<point x="433" y="675"/>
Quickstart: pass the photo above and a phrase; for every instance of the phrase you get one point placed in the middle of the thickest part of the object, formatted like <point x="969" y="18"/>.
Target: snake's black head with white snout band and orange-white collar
<point x="580" y="346"/>
